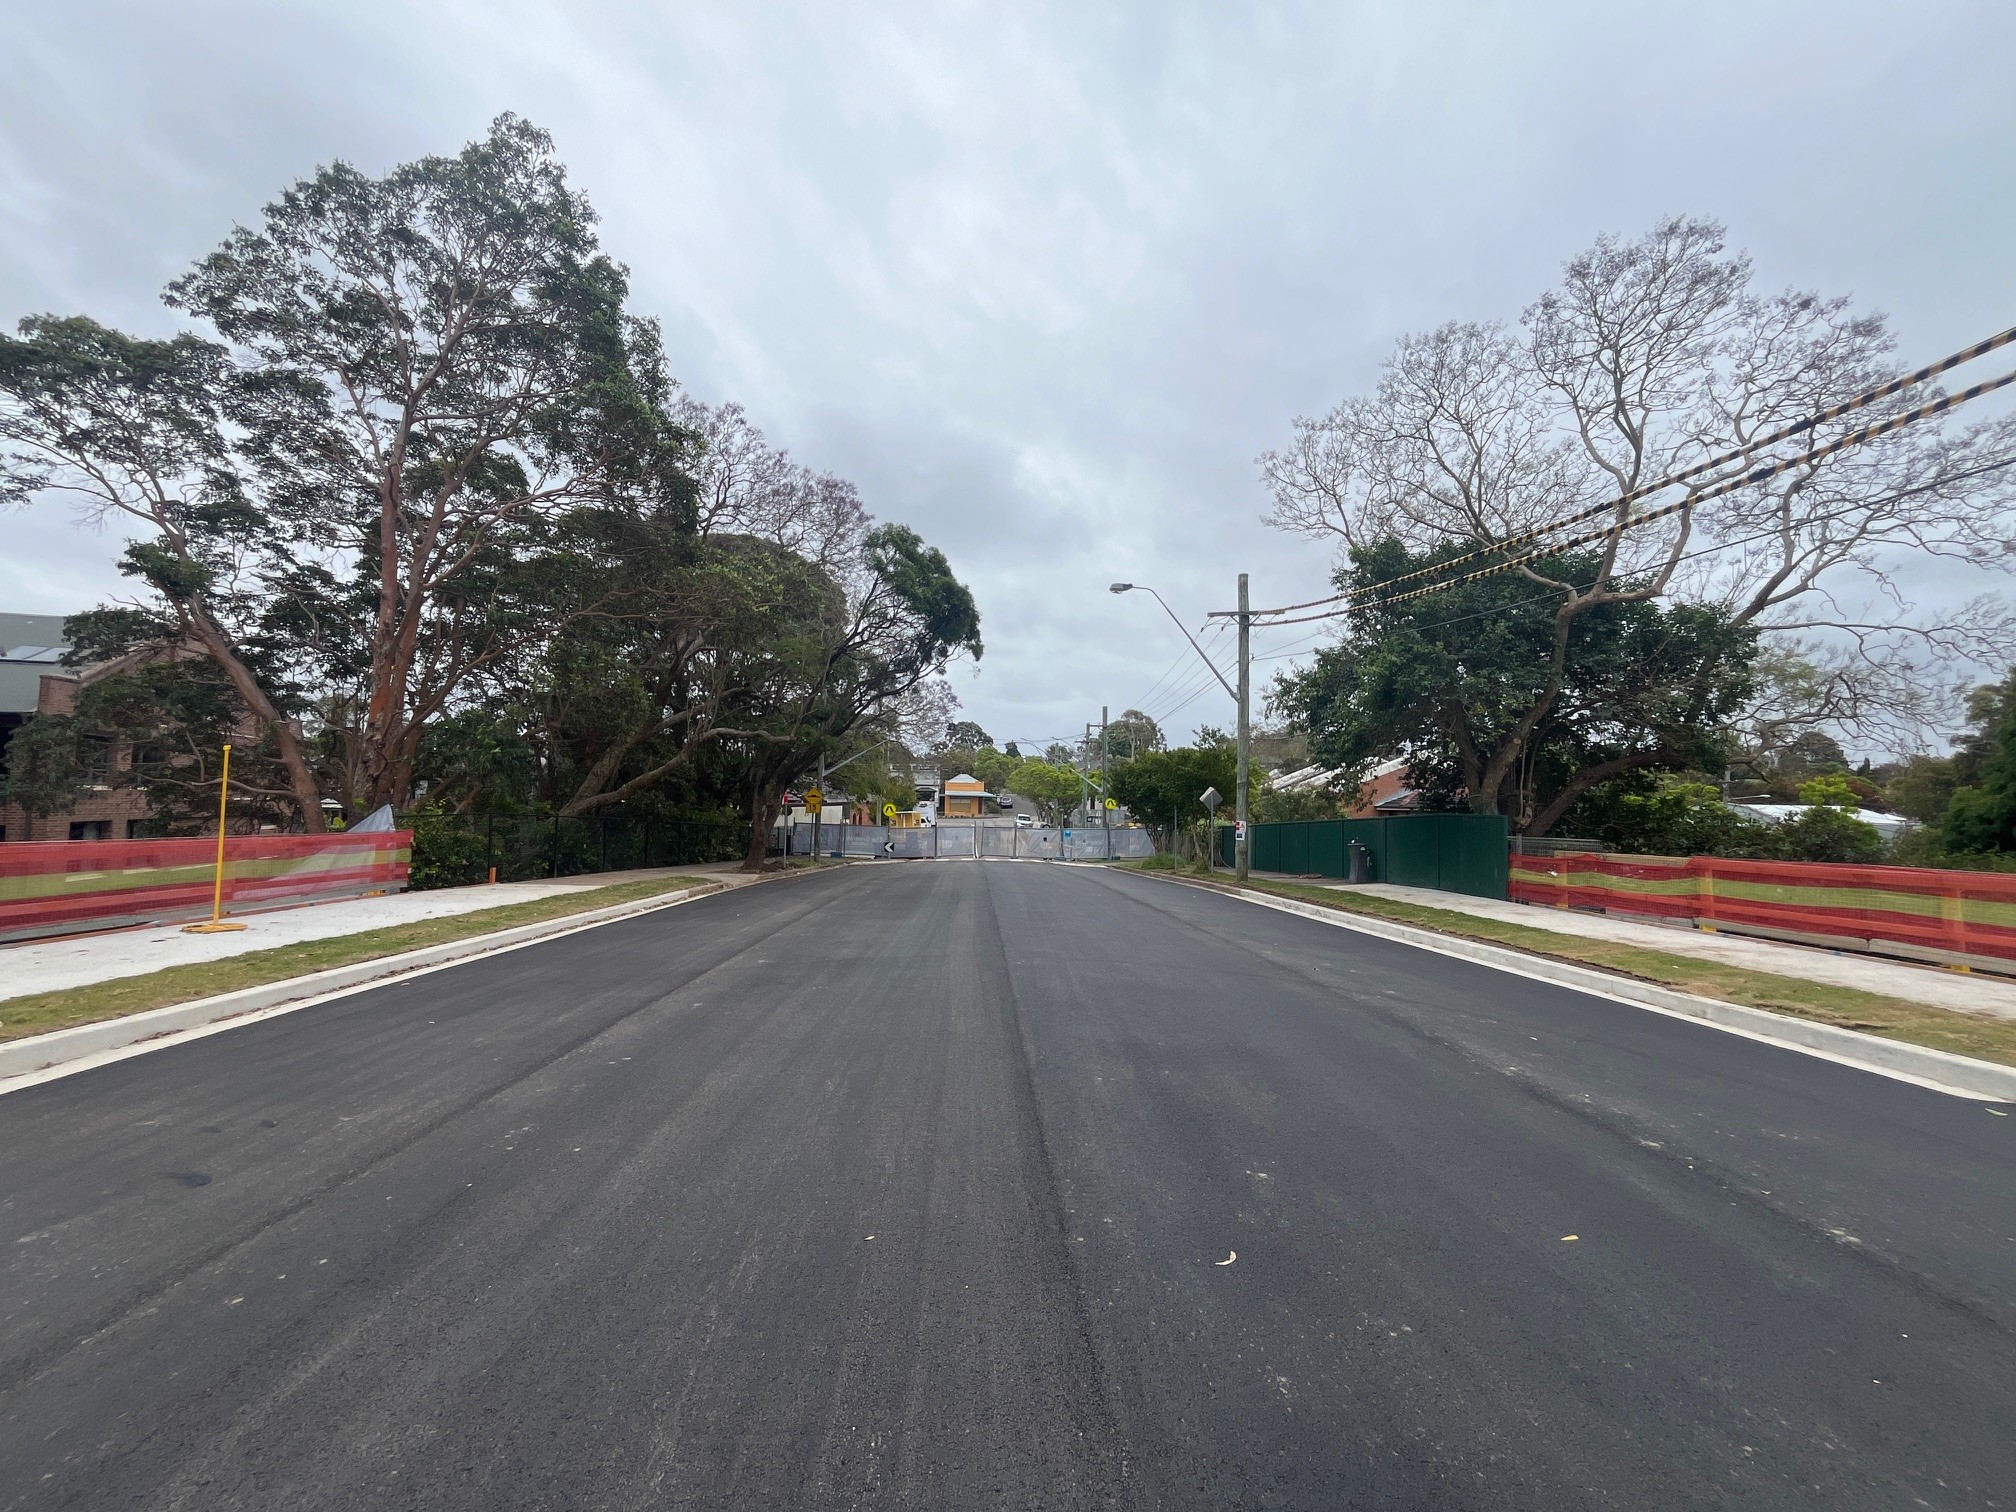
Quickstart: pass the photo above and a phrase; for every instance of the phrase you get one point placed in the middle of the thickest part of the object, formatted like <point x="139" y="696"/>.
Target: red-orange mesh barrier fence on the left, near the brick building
<point x="72" y="886"/>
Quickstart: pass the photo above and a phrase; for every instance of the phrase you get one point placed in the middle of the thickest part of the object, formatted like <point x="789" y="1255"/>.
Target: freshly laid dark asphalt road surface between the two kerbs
<point x="916" y="1186"/>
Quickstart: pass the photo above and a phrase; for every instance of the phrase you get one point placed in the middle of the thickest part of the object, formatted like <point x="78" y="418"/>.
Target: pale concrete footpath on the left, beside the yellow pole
<point x="82" y="961"/>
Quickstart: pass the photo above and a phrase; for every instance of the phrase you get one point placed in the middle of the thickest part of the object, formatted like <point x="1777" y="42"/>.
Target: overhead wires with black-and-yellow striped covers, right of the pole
<point x="1382" y="594"/>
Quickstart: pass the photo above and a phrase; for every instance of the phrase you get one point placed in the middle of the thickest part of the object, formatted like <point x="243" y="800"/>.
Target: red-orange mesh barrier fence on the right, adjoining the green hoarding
<point x="1955" y="918"/>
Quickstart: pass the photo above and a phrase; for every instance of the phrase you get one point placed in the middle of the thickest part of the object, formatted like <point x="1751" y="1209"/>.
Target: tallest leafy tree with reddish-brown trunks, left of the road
<point x="424" y="372"/>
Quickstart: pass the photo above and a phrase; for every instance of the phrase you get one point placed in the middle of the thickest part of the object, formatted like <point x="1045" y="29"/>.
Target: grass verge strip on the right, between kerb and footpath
<point x="1872" y="1013"/>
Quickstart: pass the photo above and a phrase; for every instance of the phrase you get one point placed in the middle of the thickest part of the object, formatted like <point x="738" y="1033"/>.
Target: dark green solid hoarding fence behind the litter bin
<point x="1455" y="854"/>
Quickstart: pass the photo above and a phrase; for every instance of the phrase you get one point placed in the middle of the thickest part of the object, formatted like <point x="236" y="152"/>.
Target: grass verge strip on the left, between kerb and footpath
<point x="136" y="995"/>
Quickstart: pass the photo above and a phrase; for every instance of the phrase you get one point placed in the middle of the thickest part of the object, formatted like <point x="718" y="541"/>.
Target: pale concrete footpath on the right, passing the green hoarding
<point x="1846" y="969"/>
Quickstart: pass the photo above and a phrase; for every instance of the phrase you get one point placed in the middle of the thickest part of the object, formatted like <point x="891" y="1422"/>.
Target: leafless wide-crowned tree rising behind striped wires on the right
<point x="1648" y="358"/>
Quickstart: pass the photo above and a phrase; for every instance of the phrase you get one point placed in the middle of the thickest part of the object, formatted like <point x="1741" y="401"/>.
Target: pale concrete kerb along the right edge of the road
<point x="1938" y="1069"/>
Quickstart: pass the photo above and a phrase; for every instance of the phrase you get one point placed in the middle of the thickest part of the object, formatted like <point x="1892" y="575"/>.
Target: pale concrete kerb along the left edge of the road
<point x="43" y="1057"/>
